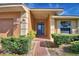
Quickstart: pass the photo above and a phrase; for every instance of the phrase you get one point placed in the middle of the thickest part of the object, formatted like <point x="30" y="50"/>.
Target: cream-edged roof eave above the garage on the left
<point x="15" y="7"/>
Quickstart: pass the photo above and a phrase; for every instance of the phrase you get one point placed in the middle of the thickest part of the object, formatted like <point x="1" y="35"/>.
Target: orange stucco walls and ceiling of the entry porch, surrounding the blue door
<point x="41" y="16"/>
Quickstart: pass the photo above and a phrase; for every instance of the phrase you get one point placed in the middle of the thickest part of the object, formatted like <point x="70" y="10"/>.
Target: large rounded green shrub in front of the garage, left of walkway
<point x="19" y="45"/>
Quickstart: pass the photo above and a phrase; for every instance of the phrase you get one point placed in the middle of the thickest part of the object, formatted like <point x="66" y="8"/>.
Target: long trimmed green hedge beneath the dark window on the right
<point x="64" y="38"/>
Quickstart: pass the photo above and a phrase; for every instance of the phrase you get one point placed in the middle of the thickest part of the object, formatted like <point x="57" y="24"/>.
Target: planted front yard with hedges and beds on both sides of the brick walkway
<point x="63" y="45"/>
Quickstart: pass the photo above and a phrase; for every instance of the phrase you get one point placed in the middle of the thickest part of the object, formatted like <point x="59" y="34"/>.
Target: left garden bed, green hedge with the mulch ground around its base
<point x="15" y="46"/>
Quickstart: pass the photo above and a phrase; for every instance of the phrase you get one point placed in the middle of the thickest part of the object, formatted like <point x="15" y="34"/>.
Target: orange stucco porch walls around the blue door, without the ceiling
<point x="46" y="22"/>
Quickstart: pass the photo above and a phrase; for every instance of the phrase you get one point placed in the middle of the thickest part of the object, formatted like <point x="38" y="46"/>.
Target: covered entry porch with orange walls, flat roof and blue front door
<point x="40" y="21"/>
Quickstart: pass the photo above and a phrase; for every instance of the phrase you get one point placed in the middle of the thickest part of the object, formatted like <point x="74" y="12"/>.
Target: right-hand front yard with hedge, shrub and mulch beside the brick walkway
<point x="66" y="45"/>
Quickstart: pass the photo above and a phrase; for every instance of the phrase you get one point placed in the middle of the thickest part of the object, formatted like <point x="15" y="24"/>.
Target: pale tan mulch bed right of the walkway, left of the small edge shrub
<point x="60" y="51"/>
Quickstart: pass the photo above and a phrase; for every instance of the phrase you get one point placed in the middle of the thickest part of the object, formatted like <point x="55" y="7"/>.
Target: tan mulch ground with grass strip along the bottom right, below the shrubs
<point x="61" y="51"/>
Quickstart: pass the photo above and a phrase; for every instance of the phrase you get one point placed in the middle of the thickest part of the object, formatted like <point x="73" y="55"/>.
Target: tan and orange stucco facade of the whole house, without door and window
<point x="13" y="15"/>
